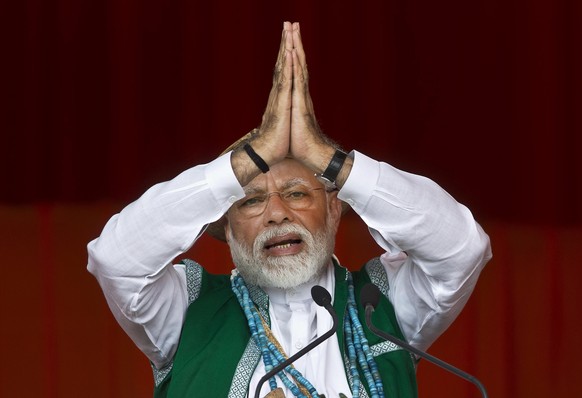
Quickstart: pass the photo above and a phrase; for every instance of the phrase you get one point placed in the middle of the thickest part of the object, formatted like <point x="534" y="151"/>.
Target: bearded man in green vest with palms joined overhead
<point x="277" y="197"/>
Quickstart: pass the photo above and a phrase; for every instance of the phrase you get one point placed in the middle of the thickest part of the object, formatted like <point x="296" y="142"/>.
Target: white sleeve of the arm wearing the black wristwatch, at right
<point x="435" y="249"/>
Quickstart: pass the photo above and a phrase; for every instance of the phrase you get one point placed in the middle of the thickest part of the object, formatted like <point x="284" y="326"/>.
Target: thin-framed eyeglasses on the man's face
<point x="296" y="198"/>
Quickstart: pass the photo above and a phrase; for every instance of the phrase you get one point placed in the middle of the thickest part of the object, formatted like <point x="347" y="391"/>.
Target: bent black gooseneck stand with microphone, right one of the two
<point x="370" y="307"/>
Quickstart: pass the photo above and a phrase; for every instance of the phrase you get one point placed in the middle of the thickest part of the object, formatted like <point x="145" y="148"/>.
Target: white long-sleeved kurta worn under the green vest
<point x="434" y="252"/>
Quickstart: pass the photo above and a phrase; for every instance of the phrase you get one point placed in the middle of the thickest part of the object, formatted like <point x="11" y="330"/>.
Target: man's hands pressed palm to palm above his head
<point x="289" y="127"/>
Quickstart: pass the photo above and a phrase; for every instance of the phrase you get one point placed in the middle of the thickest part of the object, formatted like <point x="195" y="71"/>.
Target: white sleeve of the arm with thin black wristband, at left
<point x="132" y="258"/>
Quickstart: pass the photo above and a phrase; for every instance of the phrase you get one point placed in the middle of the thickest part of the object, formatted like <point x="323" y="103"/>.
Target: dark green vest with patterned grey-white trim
<point x="216" y="356"/>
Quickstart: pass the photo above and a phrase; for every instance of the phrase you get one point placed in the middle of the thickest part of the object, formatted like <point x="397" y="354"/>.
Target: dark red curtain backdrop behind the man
<point x="101" y="99"/>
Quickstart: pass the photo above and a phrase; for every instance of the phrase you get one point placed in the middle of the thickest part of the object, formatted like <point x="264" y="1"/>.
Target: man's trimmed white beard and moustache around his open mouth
<point x="284" y="272"/>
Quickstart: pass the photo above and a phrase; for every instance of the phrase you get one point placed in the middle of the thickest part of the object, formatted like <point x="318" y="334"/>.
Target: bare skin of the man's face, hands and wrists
<point x="290" y="141"/>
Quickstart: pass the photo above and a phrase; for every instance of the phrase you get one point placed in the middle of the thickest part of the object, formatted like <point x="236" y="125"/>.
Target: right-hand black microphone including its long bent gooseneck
<point x="370" y="297"/>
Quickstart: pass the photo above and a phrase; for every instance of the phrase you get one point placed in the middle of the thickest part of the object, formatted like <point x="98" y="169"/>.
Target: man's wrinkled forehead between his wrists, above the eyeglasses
<point x="283" y="175"/>
